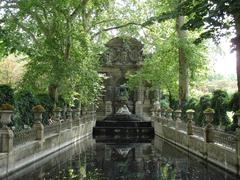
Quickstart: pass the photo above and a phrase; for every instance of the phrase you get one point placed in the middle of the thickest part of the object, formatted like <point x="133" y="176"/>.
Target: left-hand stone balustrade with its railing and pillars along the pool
<point x="21" y="148"/>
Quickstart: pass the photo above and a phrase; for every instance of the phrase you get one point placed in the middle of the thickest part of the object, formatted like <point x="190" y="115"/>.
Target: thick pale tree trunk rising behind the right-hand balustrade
<point x="183" y="65"/>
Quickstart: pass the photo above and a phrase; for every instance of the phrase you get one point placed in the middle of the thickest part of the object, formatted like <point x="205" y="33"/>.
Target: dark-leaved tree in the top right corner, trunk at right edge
<point x="217" y="18"/>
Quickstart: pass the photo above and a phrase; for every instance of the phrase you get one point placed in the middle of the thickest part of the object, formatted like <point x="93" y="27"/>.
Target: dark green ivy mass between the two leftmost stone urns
<point x="24" y="102"/>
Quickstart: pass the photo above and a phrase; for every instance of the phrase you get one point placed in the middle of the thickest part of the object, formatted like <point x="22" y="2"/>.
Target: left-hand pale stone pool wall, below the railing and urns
<point x="29" y="152"/>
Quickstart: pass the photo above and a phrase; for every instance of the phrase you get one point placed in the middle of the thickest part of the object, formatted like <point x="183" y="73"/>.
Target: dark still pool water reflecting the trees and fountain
<point x="135" y="161"/>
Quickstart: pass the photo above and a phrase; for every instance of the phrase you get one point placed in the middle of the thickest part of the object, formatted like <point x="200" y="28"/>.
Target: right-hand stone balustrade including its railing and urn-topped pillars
<point x="218" y="147"/>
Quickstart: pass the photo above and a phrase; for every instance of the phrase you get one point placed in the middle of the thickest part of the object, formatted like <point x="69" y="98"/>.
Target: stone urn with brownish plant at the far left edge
<point x="6" y="111"/>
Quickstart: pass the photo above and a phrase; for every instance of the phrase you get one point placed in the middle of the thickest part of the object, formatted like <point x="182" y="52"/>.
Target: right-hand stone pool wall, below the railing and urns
<point x="221" y="153"/>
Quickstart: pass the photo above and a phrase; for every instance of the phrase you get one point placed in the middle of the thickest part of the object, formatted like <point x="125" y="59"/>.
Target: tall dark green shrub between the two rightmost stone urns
<point x="219" y="103"/>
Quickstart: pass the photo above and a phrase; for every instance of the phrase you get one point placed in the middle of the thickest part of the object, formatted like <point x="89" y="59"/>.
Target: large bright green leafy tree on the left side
<point x="55" y="35"/>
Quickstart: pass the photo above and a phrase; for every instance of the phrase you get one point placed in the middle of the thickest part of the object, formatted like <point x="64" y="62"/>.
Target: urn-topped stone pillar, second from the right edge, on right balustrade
<point x="209" y="129"/>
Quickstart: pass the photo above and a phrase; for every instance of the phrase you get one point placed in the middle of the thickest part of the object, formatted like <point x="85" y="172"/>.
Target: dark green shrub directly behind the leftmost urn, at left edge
<point x="6" y="94"/>
